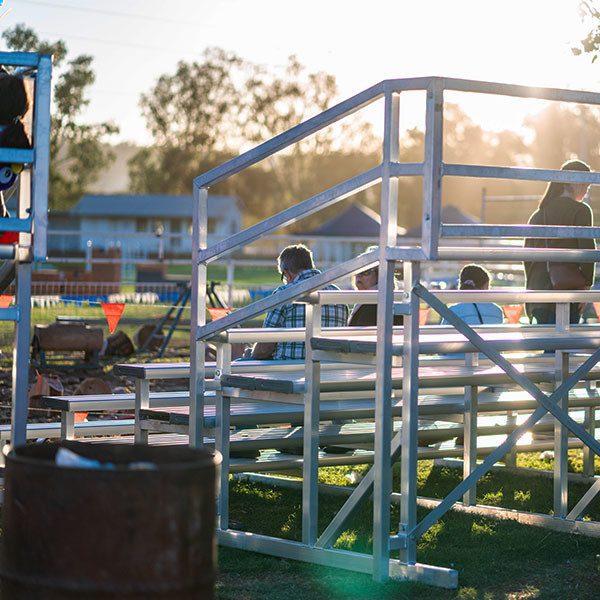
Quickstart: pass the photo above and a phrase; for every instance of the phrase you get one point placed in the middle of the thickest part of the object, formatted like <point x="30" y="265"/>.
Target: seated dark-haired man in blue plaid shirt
<point x="295" y="263"/>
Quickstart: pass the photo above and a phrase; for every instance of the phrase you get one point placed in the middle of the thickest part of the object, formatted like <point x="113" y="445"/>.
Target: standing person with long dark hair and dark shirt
<point x="562" y="204"/>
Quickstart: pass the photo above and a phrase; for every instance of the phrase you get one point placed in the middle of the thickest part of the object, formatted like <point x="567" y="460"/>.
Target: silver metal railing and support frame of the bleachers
<point x="430" y="247"/>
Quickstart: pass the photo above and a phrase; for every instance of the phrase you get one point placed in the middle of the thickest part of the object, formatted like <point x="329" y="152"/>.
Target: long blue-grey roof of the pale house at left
<point x="148" y="206"/>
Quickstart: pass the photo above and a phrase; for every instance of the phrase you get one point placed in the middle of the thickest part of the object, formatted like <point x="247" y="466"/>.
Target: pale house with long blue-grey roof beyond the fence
<point x="150" y="223"/>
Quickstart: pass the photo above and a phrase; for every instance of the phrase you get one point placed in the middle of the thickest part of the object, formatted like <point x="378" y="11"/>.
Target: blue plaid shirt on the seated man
<point x="294" y="315"/>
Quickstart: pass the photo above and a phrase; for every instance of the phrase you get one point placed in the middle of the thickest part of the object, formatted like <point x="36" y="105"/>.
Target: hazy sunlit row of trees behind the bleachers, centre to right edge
<point x="208" y="112"/>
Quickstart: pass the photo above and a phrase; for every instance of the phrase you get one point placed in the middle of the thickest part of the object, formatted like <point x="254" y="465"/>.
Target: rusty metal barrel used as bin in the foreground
<point x="143" y="529"/>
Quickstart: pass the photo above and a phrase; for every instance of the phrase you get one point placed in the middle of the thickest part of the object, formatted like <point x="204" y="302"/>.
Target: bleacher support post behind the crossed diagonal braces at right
<point x="561" y="366"/>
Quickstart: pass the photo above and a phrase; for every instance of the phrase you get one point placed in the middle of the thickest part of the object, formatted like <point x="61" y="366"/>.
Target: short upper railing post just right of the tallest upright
<point x="432" y="169"/>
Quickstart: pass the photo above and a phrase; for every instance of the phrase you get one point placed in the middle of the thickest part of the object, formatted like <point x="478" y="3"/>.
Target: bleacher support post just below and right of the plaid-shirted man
<point x="310" y="467"/>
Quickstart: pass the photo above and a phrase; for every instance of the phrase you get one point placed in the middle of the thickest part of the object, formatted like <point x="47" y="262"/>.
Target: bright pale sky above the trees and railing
<point x="362" y="42"/>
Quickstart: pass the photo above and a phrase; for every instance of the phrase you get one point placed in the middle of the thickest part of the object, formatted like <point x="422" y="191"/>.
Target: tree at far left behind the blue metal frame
<point x="77" y="151"/>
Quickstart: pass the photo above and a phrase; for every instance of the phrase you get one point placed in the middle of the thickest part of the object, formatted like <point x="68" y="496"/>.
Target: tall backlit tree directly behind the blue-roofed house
<point x="191" y="115"/>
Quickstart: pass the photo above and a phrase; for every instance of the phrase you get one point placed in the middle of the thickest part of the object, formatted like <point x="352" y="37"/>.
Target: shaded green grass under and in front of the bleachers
<point x="494" y="559"/>
